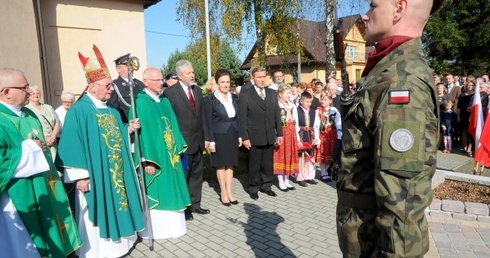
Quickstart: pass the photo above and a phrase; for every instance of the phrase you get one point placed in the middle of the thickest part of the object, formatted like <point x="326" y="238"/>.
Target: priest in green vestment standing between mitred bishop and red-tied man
<point x="161" y="144"/>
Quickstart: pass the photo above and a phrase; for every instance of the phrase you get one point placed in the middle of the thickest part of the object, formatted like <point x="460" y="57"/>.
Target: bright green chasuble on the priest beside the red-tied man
<point x="162" y="143"/>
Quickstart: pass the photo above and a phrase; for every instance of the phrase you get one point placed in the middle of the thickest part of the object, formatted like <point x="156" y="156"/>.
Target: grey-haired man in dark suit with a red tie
<point x="187" y="102"/>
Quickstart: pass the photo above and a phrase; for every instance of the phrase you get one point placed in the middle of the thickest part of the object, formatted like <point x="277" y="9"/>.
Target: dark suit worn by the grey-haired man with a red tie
<point x="195" y="132"/>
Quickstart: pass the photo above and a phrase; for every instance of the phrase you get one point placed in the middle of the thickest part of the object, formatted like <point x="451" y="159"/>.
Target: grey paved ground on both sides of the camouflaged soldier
<point x="298" y="223"/>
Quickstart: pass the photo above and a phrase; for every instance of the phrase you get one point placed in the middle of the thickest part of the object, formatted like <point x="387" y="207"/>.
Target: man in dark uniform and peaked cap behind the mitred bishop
<point x="120" y="97"/>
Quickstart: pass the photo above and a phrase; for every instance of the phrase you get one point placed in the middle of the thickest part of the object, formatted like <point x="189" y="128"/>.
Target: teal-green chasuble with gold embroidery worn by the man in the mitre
<point x="96" y="140"/>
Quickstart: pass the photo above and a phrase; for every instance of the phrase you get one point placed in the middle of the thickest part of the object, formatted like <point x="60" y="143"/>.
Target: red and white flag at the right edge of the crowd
<point x="477" y="130"/>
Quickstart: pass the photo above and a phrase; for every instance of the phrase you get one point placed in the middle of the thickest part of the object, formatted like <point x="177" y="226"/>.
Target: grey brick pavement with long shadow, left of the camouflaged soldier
<point x="298" y="223"/>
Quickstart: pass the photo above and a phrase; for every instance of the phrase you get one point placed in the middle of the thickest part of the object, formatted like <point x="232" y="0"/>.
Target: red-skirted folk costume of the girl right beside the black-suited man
<point x="286" y="159"/>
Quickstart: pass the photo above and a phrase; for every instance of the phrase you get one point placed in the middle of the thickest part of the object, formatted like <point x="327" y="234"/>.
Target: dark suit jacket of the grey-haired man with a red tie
<point x="192" y="125"/>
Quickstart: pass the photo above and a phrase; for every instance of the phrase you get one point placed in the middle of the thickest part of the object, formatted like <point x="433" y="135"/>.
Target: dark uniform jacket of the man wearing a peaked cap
<point x="123" y="88"/>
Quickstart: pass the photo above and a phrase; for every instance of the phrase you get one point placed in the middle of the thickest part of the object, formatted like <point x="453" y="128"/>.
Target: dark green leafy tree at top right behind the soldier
<point x="457" y="38"/>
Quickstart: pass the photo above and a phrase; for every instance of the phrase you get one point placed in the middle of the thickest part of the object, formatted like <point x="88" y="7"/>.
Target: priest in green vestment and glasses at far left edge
<point x="35" y="219"/>
